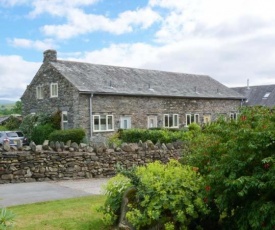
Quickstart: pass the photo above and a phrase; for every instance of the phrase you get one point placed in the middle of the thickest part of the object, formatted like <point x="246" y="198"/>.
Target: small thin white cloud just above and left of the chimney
<point x="37" y="44"/>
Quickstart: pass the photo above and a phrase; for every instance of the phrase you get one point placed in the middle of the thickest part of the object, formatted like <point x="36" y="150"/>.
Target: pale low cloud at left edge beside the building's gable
<point x="15" y="75"/>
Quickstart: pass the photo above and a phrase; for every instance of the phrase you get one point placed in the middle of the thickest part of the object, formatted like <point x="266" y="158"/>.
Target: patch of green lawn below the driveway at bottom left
<point x="69" y="214"/>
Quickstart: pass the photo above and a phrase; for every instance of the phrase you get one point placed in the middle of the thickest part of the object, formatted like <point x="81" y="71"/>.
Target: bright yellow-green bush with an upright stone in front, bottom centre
<point x="166" y="195"/>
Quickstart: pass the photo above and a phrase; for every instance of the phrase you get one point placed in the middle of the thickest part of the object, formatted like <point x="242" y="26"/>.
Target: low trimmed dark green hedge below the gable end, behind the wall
<point x="75" y="135"/>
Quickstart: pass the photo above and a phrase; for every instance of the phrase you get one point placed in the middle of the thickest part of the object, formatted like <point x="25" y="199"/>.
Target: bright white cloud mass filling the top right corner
<point x="198" y="18"/>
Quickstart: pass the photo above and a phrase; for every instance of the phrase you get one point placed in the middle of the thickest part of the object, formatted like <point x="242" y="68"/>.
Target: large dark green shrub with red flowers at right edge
<point x="237" y="160"/>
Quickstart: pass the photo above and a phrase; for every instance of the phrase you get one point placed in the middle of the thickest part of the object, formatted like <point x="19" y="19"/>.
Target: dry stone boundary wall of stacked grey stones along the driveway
<point x="29" y="166"/>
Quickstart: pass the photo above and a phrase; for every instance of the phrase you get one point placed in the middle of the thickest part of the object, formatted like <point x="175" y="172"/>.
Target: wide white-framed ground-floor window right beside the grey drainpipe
<point x="103" y="123"/>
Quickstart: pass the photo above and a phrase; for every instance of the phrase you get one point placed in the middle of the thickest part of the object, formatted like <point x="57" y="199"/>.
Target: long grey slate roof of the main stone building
<point x="105" y="79"/>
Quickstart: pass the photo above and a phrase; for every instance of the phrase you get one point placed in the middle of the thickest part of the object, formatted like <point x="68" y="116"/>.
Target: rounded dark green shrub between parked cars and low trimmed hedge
<point x="41" y="133"/>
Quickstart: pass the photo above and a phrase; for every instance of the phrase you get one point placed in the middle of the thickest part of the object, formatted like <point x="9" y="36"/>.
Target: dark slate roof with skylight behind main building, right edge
<point x="258" y="95"/>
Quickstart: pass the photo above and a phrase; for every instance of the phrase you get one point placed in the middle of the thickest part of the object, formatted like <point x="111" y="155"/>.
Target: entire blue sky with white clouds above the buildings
<point x="231" y="41"/>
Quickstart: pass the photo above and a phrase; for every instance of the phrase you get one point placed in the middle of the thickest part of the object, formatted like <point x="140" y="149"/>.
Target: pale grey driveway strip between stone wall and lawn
<point x="25" y="193"/>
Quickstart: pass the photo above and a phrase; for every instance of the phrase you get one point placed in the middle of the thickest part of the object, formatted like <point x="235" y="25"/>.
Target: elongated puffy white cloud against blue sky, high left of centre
<point x="78" y="22"/>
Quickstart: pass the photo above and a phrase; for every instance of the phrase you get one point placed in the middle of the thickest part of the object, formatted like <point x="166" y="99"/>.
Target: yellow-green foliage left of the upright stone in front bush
<point x="114" y="191"/>
